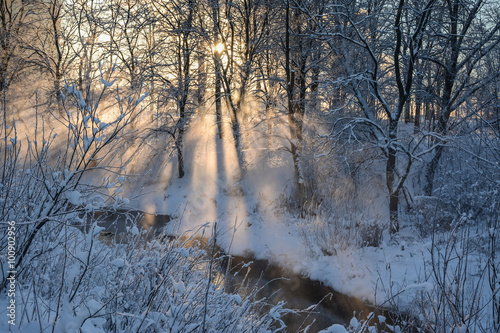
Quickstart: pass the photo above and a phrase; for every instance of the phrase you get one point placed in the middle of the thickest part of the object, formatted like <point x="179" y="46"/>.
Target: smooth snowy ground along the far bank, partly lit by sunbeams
<point x="251" y="218"/>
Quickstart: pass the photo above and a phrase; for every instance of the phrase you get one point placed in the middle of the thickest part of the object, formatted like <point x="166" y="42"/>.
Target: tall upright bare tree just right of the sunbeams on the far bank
<point x="302" y="50"/>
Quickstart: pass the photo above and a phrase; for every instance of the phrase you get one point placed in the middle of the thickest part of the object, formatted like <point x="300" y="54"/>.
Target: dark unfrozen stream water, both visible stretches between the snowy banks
<point x="325" y="305"/>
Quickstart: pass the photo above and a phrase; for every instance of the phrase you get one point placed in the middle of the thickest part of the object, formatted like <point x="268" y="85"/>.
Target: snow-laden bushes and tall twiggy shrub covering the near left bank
<point x="70" y="281"/>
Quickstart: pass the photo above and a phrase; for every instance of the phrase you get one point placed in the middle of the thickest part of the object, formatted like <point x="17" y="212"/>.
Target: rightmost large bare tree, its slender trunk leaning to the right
<point x="464" y="34"/>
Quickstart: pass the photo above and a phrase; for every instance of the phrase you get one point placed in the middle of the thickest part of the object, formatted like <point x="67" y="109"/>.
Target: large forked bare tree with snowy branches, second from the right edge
<point x="380" y="75"/>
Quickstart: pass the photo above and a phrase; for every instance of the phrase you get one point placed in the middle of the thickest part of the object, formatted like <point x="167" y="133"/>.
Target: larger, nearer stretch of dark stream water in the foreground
<point x="327" y="306"/>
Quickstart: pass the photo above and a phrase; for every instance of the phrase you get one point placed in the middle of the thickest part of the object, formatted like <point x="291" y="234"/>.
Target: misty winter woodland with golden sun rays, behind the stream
<point x="374" y="111"/>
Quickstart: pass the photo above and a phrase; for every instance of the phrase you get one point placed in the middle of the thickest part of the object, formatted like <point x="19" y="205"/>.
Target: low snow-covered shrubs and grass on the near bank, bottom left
<point x="78" y="283"/>
